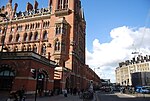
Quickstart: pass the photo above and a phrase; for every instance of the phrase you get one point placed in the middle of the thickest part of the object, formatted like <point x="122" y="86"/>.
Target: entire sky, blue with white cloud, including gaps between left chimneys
<point x="114" y="29"/>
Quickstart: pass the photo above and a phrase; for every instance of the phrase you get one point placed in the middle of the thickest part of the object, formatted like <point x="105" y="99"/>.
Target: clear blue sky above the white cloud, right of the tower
<point x="104" y="15"/>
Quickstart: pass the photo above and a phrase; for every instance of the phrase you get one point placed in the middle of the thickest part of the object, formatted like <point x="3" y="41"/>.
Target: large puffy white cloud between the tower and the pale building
<point x="125" y="40"/>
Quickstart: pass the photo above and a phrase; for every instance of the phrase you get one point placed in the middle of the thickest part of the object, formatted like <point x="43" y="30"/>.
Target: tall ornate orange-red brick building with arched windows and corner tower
<point x="56" y="32"/>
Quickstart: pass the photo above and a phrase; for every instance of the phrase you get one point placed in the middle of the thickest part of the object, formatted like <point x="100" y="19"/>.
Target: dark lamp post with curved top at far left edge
<point x="5" y="30"/>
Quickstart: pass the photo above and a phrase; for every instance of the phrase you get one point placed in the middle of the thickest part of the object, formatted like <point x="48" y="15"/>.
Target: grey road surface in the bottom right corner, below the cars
<point x="103" y="96"/>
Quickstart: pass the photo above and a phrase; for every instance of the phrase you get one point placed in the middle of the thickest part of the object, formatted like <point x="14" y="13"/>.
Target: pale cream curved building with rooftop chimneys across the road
<point x="126" y="69"/>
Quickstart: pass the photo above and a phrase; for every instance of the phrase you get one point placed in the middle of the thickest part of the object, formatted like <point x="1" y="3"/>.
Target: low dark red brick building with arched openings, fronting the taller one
<point x="15" y="71"/>
